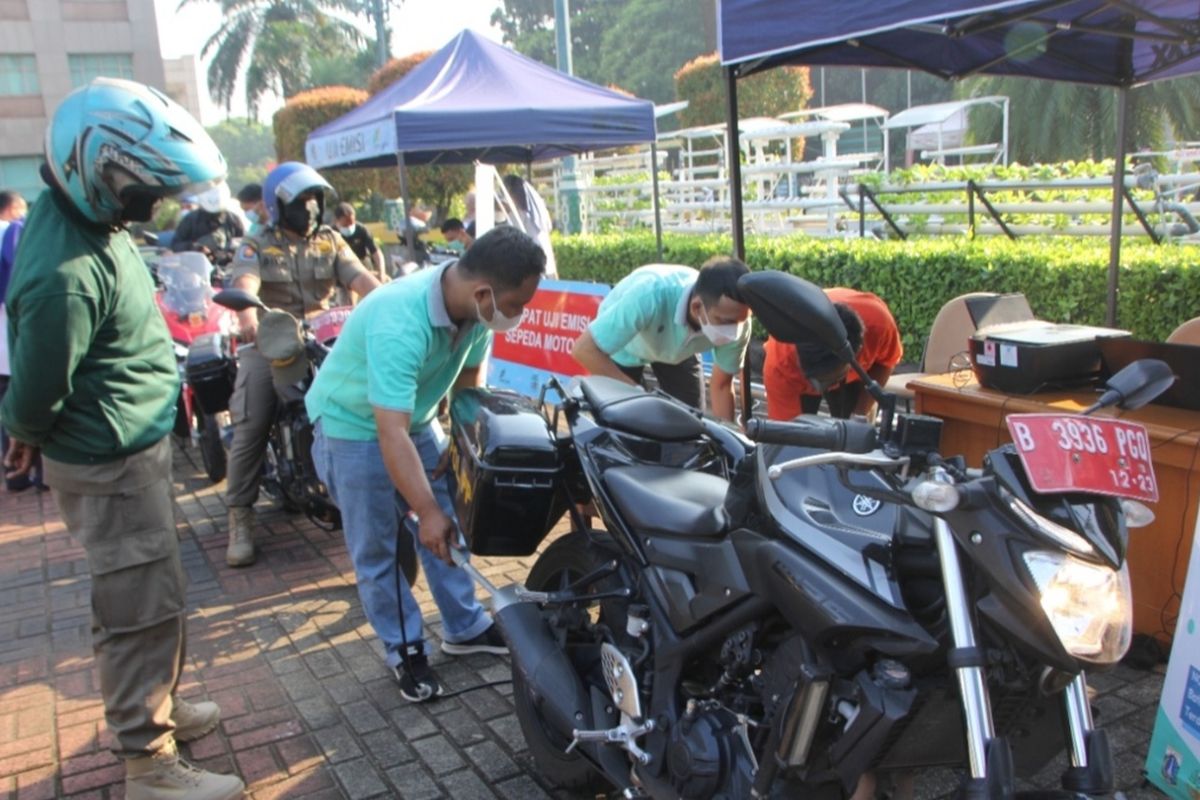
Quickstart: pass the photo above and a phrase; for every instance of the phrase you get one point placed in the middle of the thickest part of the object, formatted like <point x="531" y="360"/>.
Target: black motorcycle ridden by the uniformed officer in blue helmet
<point x="290" y="477"/>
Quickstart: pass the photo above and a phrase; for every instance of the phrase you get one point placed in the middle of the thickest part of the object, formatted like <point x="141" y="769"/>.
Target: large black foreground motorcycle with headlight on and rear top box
<point x="837" y="604"/>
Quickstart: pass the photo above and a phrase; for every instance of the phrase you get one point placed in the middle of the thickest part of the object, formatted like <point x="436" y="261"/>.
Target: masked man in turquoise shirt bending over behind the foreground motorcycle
<point x="664" y="316"/>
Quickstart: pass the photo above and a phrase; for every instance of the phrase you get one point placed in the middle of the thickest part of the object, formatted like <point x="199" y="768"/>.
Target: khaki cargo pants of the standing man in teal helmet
<point x="122" y="514"/>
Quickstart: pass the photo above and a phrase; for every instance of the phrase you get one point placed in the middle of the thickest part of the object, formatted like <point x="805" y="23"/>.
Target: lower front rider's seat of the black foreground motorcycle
<point x="668" y="501"/>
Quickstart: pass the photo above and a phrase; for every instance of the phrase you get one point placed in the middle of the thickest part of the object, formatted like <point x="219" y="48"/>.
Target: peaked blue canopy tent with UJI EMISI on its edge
<point x="476" y="100"/>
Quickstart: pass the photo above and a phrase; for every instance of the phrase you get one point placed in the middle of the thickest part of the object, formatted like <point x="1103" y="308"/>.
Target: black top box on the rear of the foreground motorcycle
<point x="507" y="473"/>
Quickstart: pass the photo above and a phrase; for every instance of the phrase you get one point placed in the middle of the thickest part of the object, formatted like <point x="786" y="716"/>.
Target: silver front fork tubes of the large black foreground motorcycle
<point x="989" y="756"/>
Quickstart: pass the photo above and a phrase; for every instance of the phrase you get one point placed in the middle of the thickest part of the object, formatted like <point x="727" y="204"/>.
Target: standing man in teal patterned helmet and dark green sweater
<point x="94" y="388"/>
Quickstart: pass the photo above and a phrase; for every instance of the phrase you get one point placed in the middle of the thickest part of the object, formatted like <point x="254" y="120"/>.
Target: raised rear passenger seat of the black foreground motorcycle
<point x="631" y="410"/>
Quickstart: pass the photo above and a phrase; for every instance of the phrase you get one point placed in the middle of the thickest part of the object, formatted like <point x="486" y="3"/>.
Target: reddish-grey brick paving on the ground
<point x="309" y="709"/>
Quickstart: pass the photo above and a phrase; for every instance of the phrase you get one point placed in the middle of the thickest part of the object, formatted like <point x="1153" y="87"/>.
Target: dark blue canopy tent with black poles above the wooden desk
<point x="1120" y="44"/>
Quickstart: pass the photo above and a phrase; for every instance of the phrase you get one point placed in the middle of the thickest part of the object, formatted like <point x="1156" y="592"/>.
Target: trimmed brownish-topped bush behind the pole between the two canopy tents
<point x="701" y="82"/>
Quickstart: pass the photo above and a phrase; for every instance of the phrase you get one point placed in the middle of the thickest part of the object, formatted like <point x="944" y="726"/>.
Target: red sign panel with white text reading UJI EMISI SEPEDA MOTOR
<point x="551" y="323"/>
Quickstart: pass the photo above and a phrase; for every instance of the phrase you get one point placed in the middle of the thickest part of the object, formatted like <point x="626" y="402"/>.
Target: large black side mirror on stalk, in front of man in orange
<point x="794" y="310"/>
